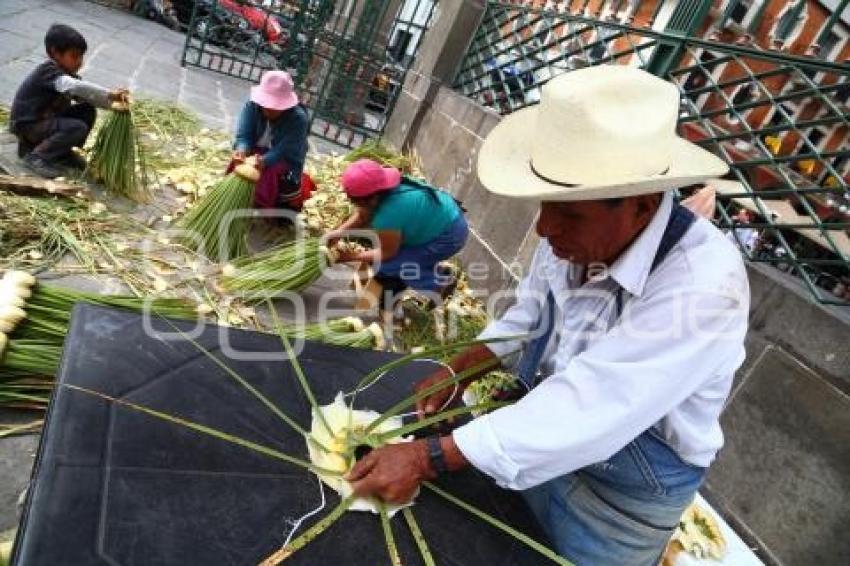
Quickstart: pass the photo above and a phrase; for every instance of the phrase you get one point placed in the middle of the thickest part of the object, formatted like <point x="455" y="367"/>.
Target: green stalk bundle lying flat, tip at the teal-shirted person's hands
<point x="292" y="266"/>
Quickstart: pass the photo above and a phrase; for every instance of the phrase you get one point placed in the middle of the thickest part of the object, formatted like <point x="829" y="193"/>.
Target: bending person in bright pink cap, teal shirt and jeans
<point x="417" y="227"/>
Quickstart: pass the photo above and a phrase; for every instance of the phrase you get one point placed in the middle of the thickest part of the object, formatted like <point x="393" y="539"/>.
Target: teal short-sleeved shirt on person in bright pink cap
<point x="413" y="211"/>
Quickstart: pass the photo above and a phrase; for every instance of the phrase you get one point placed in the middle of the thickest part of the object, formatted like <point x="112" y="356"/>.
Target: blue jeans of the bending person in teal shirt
<point x="415" y="265"/>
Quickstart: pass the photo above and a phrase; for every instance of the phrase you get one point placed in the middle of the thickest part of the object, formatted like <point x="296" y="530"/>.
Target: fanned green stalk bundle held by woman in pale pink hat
<point x="213" y="226"/>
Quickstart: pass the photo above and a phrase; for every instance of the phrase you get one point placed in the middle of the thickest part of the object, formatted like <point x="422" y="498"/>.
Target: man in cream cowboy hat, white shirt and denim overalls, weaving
<point x="635" y="312"/>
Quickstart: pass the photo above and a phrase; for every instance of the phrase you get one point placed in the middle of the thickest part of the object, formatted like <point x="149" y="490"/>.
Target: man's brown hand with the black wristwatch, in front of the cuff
<point x="393" y="472"/>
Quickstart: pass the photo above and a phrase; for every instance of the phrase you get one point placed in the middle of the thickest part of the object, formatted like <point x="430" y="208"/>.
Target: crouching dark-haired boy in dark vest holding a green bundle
<point x="54" y="110"/>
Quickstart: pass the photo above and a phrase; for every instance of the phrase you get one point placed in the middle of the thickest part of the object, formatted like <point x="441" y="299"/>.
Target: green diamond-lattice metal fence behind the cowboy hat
<point x="780" y="122"/>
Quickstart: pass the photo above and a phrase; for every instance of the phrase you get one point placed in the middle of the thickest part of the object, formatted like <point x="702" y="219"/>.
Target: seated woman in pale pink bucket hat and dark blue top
<point x="273" y="127"/>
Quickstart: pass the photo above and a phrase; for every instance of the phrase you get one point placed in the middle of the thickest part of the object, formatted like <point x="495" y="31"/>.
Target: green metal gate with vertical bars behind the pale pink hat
<point x="348" y="57"/>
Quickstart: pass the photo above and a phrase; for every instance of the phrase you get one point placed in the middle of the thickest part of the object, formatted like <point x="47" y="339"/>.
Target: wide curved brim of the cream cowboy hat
<point x="504" y="167"/>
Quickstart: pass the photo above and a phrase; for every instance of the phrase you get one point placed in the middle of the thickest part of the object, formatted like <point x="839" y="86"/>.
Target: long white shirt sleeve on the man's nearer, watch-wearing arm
<point x="664" y="347"/>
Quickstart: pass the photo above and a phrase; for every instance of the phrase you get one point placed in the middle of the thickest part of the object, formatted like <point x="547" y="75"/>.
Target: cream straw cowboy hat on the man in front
<point x="602" y="132"/>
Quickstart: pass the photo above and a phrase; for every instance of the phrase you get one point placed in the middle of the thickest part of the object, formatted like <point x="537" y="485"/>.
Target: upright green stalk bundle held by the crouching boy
<point x="117" y="159"/>
